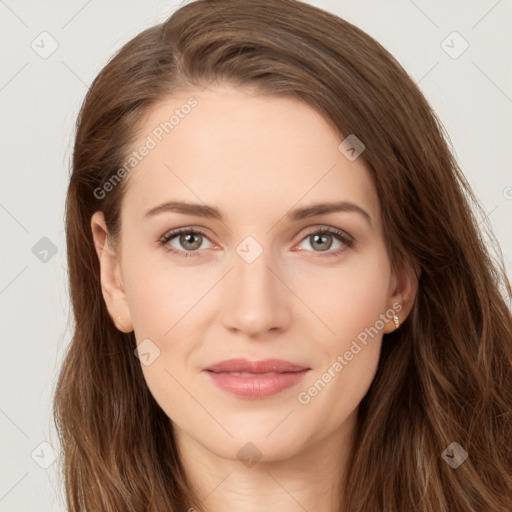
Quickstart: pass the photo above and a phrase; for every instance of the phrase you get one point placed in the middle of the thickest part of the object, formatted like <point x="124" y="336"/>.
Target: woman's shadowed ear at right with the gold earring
<point x="404" y="287"/>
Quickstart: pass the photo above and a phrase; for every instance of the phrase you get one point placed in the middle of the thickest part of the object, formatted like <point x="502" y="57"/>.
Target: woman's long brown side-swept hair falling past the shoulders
<point x="445" y="376"/>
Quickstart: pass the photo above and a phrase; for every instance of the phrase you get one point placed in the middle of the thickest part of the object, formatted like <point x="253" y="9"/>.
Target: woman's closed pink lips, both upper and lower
<point x="255" y="379"/>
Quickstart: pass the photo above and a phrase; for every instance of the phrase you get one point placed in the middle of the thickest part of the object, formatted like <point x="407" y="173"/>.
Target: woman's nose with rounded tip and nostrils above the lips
<point x="255" y="298"/>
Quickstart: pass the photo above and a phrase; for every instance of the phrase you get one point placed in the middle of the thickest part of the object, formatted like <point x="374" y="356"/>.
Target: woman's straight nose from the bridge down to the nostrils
<point x="257" y="299"/>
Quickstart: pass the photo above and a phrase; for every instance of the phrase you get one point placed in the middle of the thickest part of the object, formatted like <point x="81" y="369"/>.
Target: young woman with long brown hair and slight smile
<point x="281" y="296"/>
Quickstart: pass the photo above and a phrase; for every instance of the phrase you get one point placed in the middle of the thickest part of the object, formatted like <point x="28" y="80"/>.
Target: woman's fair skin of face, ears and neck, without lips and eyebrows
<point x="254" y="158"/>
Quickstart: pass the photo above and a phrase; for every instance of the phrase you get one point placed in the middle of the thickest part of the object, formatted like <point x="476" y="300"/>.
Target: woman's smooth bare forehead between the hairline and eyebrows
<point x="230" y="146"/>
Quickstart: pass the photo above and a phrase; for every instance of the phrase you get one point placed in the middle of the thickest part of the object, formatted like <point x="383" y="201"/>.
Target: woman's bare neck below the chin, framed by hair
<point x="308" y="480"/>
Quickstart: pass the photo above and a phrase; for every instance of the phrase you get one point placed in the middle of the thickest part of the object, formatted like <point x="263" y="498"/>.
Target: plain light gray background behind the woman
<point x="40" y="99"/>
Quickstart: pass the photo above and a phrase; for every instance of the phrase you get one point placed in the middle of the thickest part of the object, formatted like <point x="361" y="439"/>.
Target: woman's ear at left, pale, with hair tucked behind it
<point x="111" y="277"/>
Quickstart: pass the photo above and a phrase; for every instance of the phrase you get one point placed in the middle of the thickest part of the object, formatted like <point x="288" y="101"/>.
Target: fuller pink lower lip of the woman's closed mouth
<point x="259" y="386"/>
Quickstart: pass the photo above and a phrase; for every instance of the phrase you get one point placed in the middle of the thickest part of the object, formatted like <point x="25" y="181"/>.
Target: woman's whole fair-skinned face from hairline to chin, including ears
<point x="251" y="269"/>
